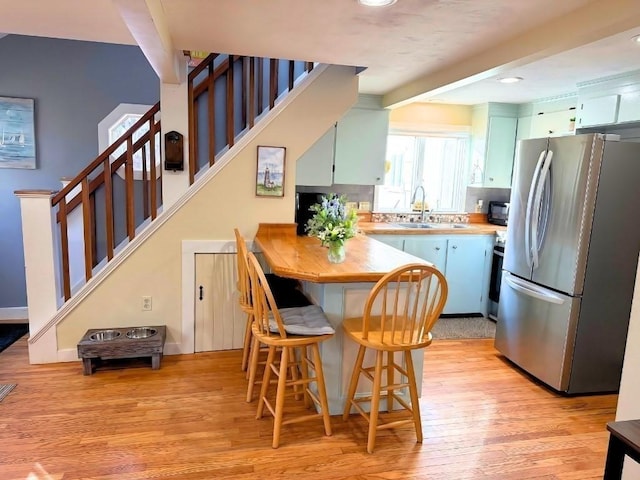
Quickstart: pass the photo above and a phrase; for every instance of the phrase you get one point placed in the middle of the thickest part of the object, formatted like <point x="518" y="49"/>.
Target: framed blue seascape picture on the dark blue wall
<point x="17" y="137"/>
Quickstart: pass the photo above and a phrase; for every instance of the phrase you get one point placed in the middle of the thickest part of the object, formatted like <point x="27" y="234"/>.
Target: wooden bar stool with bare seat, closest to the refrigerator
<point x="410" y="299"/>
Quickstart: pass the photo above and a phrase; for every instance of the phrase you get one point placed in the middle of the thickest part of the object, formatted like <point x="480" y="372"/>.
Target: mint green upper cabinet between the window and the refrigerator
<point x="493" y="142"/>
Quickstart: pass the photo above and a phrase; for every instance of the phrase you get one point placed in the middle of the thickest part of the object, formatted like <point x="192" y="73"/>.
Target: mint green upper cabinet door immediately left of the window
<point x="361" y="147"/>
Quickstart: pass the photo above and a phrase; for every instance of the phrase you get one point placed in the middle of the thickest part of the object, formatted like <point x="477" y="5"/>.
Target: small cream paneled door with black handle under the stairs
<point x="219" y="321"/>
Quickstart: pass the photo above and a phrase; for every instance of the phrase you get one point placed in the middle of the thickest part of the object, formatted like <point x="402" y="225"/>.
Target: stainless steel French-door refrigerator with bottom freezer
<point x="571" y="253"/>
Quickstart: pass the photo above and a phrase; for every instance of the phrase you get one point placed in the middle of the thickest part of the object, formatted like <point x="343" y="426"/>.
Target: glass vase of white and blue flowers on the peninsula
<point x="333" y="224"/>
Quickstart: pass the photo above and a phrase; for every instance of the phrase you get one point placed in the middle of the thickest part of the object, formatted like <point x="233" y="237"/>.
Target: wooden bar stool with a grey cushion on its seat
<point x="290" y="334"/>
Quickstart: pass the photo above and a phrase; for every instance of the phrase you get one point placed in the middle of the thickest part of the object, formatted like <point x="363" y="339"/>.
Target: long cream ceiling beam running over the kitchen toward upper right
<point x="588" y="24"/>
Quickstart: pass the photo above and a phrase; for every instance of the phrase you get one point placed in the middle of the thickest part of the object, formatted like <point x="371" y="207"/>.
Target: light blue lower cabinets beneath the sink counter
<point x="465" y="261"/>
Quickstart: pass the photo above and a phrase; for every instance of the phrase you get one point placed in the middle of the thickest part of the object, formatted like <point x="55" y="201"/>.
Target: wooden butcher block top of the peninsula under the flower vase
<point x="304" y="258"/>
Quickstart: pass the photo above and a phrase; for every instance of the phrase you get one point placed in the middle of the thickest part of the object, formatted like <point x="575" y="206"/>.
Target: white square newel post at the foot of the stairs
<point x="39" y="241"/>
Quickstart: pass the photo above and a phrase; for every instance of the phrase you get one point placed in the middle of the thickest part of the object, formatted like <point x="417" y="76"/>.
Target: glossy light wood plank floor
<point x="482" y="419"/>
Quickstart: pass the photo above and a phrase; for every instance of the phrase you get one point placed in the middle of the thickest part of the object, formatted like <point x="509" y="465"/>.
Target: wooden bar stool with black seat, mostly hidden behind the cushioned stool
<point x="286" y="293"/>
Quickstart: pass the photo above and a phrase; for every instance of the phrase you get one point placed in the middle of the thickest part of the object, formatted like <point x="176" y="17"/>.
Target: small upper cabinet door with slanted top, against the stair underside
<point x="315" y="166"/>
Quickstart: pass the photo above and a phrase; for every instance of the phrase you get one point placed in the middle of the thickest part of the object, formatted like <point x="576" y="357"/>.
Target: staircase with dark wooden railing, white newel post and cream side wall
<point x="158" y="257"/>
